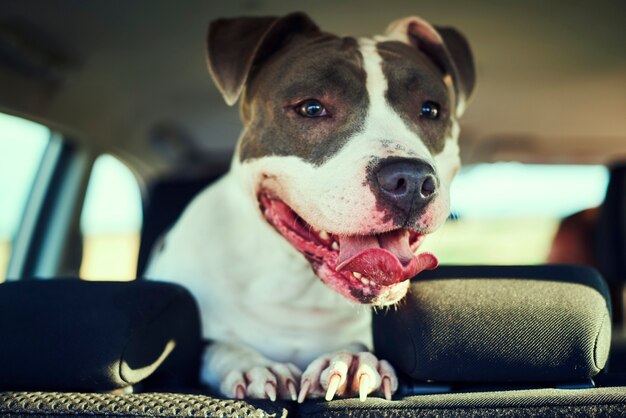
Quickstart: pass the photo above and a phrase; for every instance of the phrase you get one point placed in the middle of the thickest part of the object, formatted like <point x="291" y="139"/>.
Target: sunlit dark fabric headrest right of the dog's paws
<point x="499" y="324"/>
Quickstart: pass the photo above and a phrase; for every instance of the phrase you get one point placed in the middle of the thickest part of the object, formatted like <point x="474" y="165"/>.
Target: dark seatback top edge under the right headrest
<point x="527" y="403"/>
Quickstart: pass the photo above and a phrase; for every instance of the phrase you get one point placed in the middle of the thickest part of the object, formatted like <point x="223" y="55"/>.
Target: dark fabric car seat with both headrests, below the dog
<point x="482" y="341"/>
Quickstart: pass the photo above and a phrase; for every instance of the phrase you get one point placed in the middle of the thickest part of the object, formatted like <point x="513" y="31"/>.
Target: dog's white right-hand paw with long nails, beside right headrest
<point x="348" y="375"/>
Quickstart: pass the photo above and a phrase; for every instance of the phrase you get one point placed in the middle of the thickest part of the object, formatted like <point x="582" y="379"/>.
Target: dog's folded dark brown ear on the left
<point x="234" y="46"/>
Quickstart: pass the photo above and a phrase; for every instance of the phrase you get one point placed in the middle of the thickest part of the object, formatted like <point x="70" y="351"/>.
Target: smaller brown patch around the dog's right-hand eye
<point x="412" y="80"/>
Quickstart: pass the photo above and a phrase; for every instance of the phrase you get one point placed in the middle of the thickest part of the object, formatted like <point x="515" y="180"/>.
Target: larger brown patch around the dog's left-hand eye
<point x="326" y="68"/>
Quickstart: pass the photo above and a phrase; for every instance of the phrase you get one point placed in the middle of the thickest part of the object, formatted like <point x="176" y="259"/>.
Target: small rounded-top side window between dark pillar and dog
<point x="111" y="222"/>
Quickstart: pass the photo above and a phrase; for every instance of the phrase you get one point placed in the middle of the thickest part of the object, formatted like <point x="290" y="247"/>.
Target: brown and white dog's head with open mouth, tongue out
<point x="349" y="145"/>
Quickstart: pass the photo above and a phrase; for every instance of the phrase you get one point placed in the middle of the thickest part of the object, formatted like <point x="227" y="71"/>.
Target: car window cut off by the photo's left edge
<point x="22" y="146"/>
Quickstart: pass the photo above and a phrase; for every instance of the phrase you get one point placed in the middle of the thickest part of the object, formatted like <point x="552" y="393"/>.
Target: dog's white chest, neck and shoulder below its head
<point x="252" y="287"/>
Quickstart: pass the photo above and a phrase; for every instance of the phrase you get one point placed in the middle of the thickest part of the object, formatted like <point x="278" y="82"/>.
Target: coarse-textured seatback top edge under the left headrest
<point x="39" y="404"/>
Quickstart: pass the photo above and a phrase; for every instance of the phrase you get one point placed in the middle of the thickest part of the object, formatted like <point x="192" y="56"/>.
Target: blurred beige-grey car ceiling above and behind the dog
<point x="129" y="77"/>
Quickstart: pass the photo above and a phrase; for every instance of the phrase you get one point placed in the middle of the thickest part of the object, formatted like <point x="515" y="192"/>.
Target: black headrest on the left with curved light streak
<point x="93" y="336"/>
